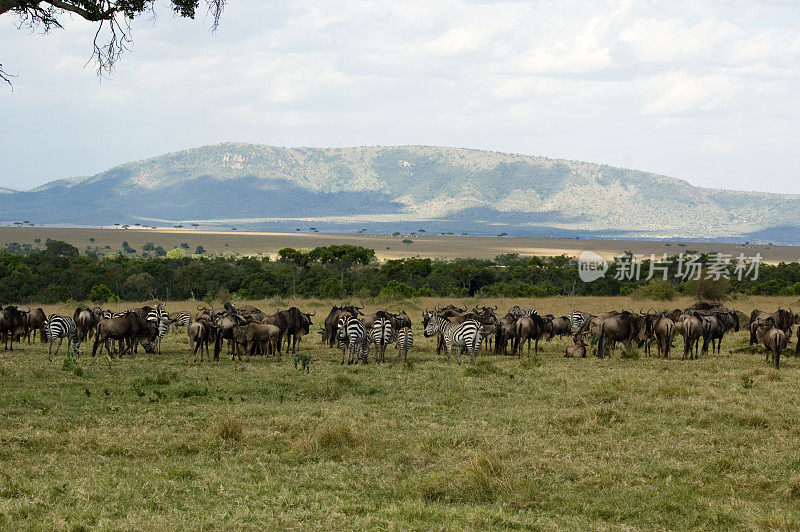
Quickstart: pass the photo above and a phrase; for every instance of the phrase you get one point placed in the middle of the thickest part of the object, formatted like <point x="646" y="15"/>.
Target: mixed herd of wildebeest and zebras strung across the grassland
<point x="249" y="331"/>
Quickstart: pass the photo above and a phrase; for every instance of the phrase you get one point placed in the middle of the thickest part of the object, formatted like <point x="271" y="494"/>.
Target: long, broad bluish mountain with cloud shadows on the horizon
<point x="450" y="189"/>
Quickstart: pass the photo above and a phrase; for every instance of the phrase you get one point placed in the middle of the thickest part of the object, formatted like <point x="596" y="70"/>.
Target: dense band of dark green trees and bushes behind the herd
<point x="59" y="273"/>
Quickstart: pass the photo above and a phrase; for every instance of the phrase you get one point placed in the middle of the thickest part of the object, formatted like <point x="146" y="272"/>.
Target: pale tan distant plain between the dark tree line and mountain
<point x="385" y="246"/>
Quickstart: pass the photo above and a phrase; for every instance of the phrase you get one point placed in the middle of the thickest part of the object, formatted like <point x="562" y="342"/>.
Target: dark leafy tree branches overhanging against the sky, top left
<point x="113" y="17"/>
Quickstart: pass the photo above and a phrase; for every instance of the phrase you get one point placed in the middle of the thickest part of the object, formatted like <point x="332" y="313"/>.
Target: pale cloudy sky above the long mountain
<point x="708" y="91"/>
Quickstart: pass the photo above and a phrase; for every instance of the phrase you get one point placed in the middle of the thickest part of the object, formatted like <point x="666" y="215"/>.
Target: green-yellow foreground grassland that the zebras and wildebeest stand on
<point x="545" y="442"/>
